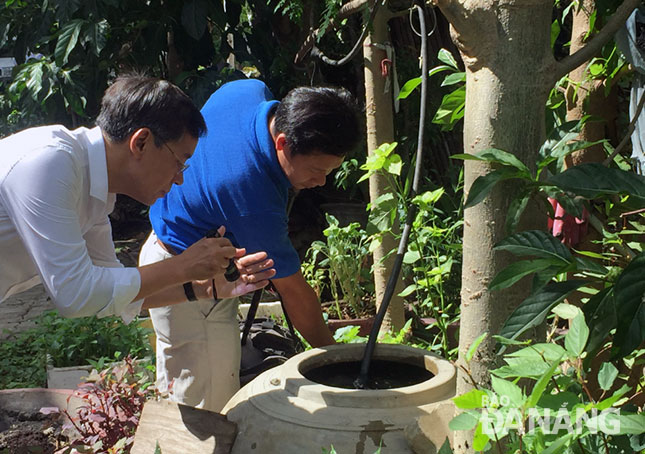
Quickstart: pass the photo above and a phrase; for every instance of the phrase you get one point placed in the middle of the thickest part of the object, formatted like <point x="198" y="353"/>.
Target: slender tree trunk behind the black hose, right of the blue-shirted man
<point x="380" y="129"/>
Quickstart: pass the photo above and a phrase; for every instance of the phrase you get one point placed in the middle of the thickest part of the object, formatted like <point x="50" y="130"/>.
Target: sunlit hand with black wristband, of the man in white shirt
<point x="255" y="272"/>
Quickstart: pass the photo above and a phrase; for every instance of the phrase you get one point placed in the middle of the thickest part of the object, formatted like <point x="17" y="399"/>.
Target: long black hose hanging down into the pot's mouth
<point x="363" y="377"/>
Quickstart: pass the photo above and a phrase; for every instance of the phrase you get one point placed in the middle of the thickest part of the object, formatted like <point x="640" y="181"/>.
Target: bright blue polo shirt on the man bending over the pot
<point x="234" y="179"/>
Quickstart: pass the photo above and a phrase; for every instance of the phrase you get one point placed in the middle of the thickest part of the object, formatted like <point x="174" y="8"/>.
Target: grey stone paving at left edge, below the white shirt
<point x="18" y="312"/>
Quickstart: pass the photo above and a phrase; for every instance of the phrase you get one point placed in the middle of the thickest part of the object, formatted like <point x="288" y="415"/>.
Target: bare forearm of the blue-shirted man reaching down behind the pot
<point x="303" y="307"/>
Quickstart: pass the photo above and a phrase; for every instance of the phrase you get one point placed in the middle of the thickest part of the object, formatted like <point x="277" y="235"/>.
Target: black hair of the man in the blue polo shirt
<point x="319" y="120"/>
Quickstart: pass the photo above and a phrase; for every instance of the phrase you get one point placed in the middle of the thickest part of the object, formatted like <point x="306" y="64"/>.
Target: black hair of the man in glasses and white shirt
<point x="134" y="101"/>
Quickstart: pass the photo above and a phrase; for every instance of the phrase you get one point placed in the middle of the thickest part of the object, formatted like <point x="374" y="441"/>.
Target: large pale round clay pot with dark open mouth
<point x="282" y="411"/>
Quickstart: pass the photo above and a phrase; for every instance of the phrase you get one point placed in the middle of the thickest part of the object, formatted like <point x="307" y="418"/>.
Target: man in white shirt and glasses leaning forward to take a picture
<point x="58" y="186"/>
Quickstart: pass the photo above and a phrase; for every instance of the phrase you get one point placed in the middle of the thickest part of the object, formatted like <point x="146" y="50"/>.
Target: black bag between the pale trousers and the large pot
<point x="265" y="344"/>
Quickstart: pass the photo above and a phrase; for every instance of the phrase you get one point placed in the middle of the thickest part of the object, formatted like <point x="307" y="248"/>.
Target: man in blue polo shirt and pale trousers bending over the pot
<point x="256" y="149"/>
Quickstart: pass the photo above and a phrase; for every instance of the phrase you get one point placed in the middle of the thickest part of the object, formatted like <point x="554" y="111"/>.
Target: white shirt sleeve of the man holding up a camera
<point x="43" y="194"/>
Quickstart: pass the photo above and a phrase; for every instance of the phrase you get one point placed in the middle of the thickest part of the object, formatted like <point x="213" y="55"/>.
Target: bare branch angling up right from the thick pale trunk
<point x="568" y="64"/>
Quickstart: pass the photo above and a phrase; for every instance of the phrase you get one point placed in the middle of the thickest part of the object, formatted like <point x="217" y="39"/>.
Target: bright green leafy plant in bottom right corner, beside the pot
<point x="540" y="401"/>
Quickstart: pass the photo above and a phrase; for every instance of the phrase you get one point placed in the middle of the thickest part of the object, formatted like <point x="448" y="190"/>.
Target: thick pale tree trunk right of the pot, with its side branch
<point x="510" y="69"/>
